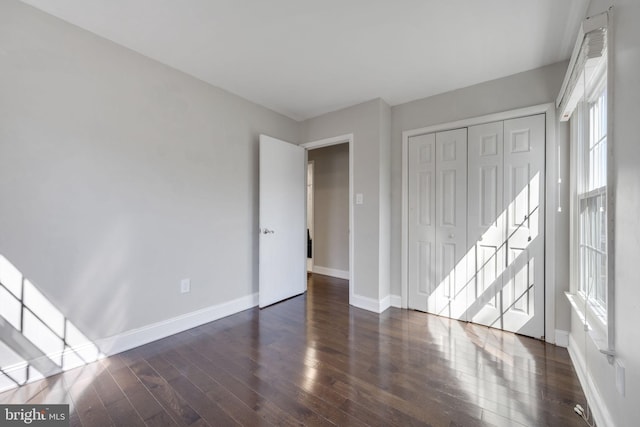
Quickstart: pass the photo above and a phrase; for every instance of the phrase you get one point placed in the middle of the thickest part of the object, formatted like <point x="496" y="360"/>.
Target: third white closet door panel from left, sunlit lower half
<point x="486" y="224"/>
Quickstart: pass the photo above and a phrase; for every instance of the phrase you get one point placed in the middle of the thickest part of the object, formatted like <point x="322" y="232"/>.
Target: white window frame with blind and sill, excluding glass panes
<point x="590" y="68"/>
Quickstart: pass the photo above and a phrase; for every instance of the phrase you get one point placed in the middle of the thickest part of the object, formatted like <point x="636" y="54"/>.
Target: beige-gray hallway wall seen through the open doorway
<point x="331" y="206"/>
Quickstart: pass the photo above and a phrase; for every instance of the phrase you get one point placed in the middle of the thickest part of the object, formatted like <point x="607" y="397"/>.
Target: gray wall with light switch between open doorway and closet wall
<point x="370" y="171"/>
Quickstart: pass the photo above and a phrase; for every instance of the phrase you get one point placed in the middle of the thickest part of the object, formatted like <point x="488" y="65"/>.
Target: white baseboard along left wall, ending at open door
<point x="92" y="351"/>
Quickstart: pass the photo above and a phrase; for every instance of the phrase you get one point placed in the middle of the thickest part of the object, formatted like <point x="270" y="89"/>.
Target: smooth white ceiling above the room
<point x="303" y="58"/>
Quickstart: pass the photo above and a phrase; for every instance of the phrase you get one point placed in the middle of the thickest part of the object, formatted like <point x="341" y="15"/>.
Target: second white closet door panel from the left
<point x="449" y="298"/>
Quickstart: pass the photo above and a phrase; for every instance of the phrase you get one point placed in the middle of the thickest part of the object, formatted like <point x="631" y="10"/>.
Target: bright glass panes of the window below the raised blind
<point x="591" y="189"/>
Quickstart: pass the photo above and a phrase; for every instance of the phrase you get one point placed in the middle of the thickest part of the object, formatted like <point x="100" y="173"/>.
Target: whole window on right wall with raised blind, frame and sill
<point x="583" y="101"/>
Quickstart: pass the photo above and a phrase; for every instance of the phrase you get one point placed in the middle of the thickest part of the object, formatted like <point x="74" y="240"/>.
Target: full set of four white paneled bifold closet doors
<point x="476" y="224"/>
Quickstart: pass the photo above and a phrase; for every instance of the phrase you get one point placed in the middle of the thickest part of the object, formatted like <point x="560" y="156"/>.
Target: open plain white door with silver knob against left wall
<point x="283" y="233"/>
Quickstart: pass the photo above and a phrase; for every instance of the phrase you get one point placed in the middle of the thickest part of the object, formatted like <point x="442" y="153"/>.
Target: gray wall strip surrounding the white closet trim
<point x="533" y="87"/>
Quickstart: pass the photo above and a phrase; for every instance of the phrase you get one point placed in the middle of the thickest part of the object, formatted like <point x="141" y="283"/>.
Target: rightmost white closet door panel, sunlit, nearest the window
<point x="523" y="287"/>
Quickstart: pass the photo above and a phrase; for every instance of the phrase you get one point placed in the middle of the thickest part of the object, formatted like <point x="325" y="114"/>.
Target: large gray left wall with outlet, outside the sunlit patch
<point x="119" y="176"/>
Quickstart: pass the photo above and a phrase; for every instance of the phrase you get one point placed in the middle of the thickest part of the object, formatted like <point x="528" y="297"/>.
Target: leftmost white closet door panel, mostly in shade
<point x="422" y="190"/>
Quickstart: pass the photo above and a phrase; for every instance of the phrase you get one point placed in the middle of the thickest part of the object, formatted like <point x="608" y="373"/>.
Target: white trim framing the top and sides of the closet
<point x="551" y="191"/>
